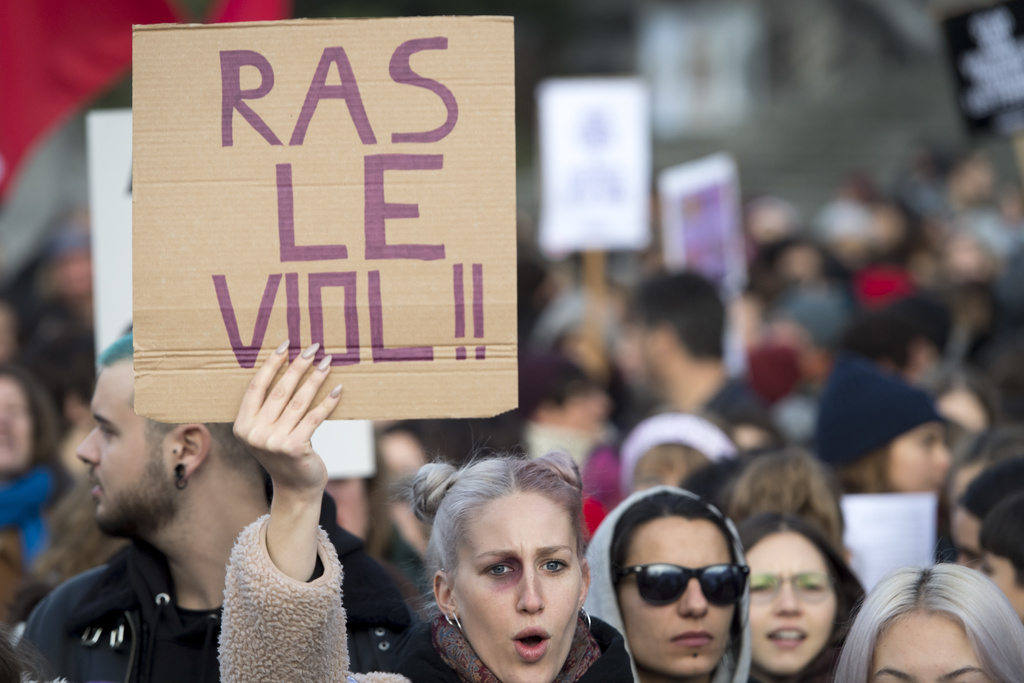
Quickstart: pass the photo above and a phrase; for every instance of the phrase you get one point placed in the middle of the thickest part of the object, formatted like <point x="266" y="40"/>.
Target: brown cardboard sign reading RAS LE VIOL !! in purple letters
<point x="349" y="183"/>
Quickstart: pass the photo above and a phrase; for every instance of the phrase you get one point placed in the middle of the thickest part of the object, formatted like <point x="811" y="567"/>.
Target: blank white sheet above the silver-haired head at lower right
<point x="889" y="531"/>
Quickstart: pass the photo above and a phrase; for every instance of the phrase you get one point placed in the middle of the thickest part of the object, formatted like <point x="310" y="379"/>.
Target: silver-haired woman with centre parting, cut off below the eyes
<point x="944" y="623"/>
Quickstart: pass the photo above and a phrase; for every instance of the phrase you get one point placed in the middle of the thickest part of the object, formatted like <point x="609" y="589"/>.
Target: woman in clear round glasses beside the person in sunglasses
<point x="802" y="597"/>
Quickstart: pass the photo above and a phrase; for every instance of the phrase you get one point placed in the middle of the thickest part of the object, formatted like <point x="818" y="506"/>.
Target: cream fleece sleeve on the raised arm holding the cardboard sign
<point x="277" y="629"/>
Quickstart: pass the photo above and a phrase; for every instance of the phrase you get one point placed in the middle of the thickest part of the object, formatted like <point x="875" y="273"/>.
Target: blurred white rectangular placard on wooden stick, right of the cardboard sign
<point x="595" y="165"/>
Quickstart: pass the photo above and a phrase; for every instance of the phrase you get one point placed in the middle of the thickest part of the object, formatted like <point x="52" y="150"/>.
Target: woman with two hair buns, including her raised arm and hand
<point x="505" y="557"/>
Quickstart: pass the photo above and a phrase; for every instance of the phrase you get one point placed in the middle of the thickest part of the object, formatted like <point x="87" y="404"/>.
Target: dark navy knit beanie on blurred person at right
<point x="864" y="408"/>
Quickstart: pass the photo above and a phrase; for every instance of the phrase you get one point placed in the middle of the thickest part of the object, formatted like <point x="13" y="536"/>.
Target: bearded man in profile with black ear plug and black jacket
<point x="183" y="493"/>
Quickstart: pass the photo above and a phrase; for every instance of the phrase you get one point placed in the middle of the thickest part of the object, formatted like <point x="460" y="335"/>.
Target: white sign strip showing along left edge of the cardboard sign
<point x="109" y="149"/>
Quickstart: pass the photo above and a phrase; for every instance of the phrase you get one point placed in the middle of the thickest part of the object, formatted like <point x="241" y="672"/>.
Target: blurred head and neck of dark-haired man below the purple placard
<point x="681" y="325"/>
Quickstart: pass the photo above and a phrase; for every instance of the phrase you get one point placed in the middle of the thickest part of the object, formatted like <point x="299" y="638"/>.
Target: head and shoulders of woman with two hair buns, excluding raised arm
<point x="510" y="577"/>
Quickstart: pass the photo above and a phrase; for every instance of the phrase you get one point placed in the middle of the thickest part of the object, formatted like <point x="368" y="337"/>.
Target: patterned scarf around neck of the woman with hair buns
<point x="457" y="654"/>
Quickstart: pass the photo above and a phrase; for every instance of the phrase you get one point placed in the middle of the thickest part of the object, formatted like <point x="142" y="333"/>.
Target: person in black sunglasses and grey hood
<point x="668" y="571"/>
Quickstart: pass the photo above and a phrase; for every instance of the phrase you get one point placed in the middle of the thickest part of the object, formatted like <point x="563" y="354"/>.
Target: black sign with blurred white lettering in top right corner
<point x="987" y="49"/>
